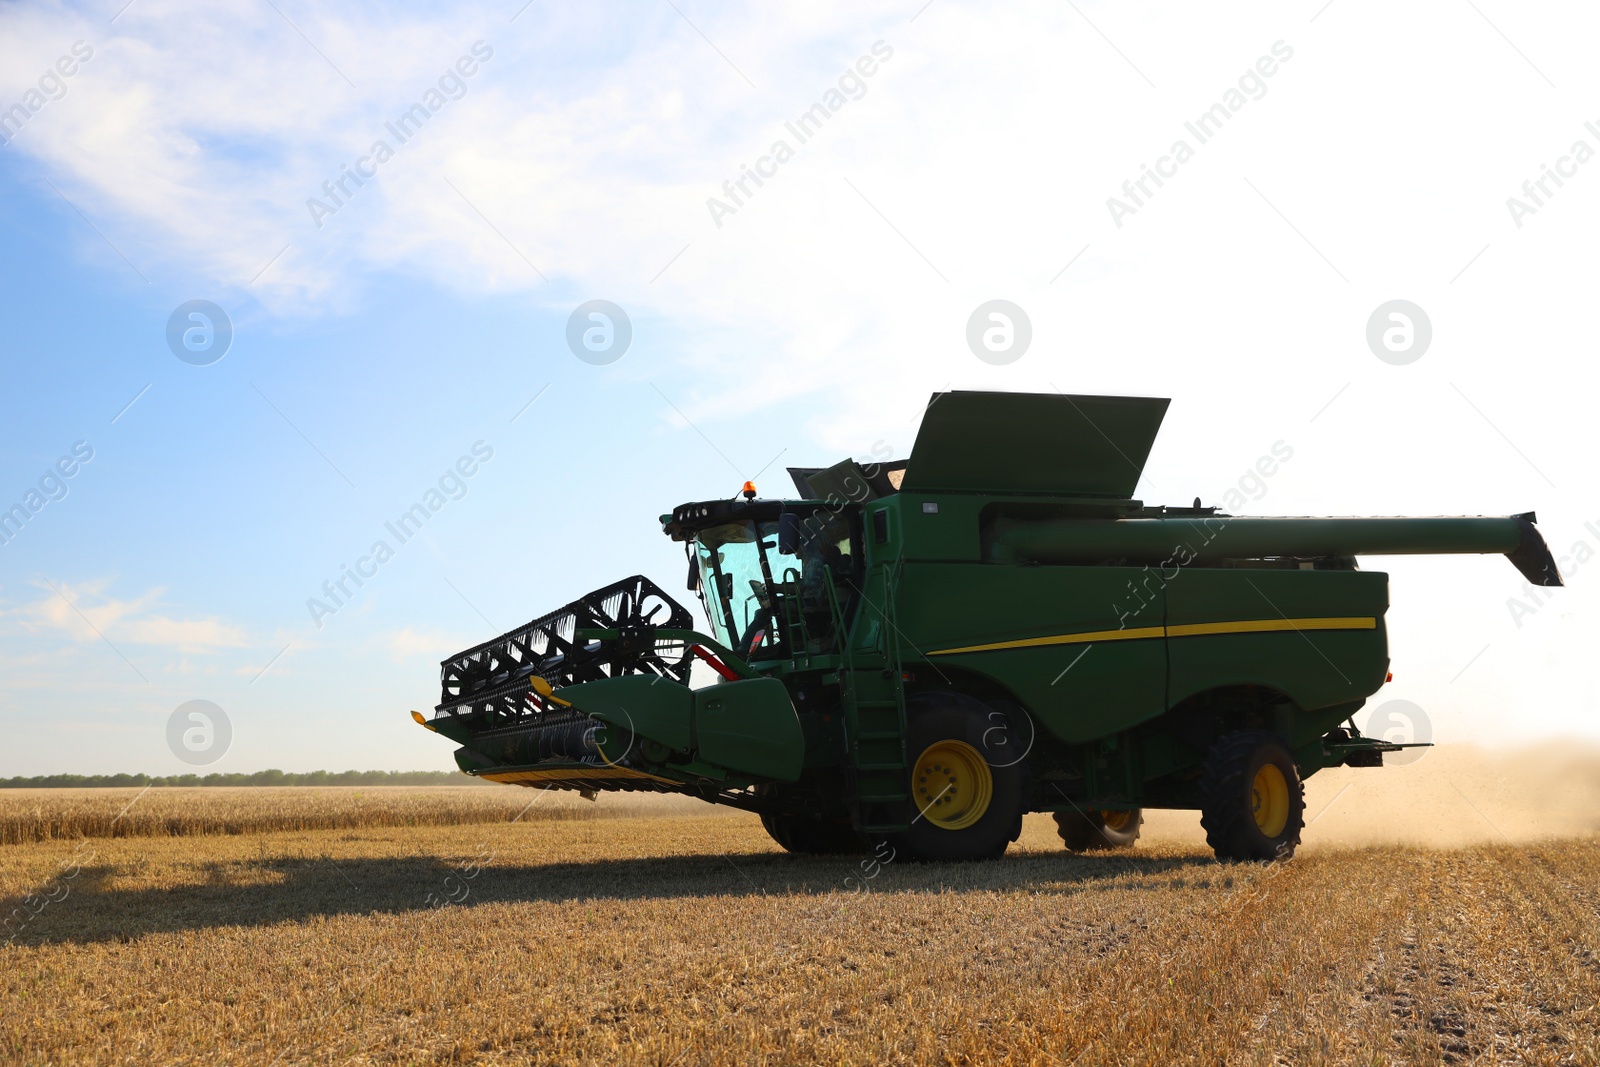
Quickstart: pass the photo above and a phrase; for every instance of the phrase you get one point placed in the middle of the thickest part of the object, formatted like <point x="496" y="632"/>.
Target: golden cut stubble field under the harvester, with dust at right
<point x="670" y="933"/>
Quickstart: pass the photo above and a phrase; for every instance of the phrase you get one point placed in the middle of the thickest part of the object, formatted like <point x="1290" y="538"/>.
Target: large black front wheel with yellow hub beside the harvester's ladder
<point x="946" y="826"/>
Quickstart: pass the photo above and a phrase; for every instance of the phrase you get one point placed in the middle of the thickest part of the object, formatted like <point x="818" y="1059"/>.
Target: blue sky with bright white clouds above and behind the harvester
<point x="911" y="164"/>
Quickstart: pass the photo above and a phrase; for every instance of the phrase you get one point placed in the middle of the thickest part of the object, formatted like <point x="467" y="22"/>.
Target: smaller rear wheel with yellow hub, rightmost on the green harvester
<point x="1244" y="813"/>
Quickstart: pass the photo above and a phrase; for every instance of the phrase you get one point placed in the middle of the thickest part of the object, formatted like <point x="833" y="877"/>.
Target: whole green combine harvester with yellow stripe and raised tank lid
<point x="927" y="650"/>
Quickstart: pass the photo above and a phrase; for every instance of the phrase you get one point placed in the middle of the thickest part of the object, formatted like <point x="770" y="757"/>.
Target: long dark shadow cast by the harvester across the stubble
<point x="274" y="890"/>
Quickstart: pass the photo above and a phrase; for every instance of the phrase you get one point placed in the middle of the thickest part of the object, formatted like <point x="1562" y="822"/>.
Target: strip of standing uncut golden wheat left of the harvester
<point x="46" y="815"/>
